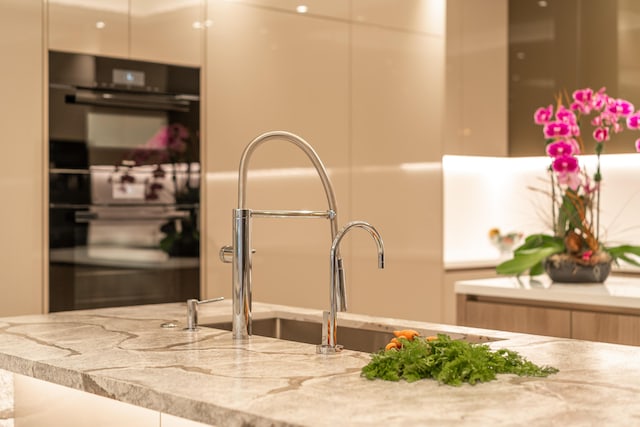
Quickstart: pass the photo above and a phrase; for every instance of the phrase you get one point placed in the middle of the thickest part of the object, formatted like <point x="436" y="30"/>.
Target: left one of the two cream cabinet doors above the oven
<point x="95" y="27"/>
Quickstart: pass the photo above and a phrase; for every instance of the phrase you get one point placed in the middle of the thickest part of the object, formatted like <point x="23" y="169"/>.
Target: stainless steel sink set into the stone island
<point x="352" y="338"/>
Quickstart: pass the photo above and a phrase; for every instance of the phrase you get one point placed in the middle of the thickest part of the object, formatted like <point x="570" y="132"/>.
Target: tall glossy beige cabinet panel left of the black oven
<point x="21" y="175"/>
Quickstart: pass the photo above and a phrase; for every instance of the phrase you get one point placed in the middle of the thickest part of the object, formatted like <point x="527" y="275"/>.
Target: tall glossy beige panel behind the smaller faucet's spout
<point x="397" y="94"/>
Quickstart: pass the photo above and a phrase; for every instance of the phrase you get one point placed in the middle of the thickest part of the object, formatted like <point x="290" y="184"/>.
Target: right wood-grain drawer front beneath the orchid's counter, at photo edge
<point x="613" y="328"/>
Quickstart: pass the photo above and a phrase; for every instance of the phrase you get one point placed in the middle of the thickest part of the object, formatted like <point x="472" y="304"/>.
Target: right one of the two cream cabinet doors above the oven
<point x="170" y="31"/>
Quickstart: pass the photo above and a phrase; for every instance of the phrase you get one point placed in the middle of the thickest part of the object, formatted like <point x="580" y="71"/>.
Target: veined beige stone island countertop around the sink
<point x="124" y="354"/>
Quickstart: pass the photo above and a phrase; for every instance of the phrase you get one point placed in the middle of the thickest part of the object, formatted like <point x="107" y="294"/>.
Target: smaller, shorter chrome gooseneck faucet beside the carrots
<point x="329" y="343"/>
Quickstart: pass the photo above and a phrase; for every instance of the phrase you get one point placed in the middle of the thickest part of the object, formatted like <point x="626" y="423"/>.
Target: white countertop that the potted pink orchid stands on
<point x="617" y="291"/>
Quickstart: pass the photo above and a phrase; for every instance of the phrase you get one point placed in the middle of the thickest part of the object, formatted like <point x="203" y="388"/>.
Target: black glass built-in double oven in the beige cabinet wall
<point x="124" y="182"/>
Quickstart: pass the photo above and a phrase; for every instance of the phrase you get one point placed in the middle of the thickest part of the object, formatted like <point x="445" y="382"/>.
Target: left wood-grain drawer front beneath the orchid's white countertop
<point x="516" y="318"/>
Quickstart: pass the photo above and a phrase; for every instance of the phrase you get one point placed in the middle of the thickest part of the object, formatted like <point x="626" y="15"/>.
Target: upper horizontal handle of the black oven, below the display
<point x="143" y="102"/>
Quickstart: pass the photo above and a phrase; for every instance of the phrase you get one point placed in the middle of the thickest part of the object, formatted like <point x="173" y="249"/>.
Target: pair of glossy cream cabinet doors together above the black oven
<point x="154" y="30"/>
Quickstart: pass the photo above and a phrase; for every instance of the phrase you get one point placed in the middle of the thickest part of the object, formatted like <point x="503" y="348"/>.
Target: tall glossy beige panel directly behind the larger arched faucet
<point x="282" y="71"/>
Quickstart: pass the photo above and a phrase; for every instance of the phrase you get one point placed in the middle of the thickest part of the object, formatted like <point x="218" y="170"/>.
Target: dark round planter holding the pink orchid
<point x="562" y="269"/>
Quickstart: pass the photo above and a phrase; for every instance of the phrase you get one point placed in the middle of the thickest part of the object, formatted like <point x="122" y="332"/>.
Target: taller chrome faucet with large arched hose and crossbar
<point x="240" y="252"/>
